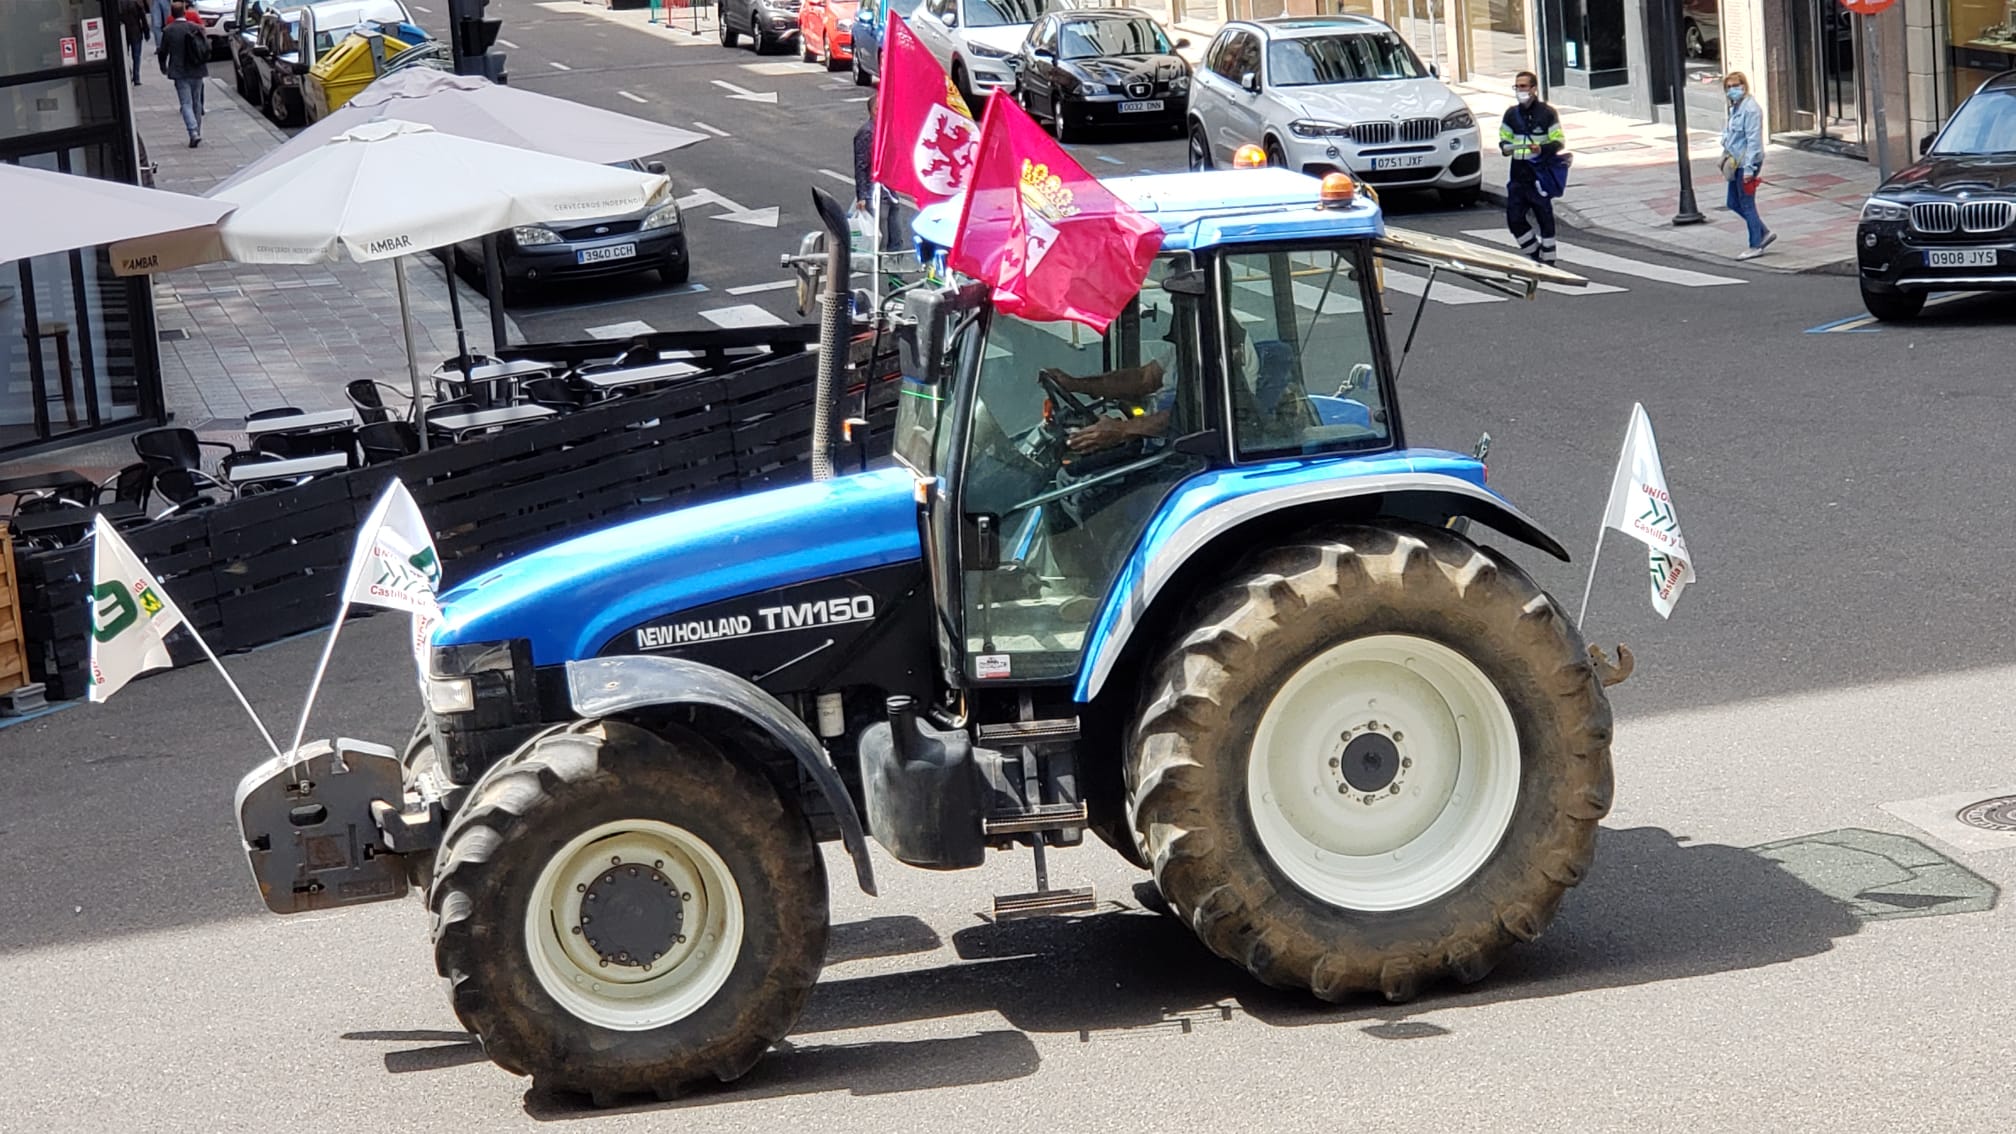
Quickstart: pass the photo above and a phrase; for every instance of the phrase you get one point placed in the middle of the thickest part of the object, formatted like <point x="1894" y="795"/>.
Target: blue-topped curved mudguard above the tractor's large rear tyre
<point x="1205" y="509"/>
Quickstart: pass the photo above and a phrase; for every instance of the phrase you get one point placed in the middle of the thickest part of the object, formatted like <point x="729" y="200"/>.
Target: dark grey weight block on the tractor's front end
<point x="311" y="826"/>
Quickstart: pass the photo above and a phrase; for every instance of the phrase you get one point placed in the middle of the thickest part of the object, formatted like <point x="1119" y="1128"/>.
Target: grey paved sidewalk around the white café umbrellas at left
<point x="239" y="338"/>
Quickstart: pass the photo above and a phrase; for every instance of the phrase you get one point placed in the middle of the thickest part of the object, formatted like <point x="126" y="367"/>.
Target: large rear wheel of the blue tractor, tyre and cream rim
<point x="1378" y="762"/>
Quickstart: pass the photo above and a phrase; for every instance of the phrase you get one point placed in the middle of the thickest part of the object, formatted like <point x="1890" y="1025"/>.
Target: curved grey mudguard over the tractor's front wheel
<point x="602" y="687"/>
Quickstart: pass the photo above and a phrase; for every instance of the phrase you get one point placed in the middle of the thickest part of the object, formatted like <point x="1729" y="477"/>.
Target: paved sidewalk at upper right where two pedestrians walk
<point x="1626" y="185"/>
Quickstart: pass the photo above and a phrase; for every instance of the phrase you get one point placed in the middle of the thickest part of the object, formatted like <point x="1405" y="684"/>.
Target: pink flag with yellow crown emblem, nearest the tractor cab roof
<point x="1043" y="233"/>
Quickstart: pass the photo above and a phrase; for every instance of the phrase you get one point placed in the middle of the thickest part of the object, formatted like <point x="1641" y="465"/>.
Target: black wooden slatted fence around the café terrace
<point x="263" y="568"/>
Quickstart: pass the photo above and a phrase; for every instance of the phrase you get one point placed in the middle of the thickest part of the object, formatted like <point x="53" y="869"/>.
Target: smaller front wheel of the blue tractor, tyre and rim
<point x="618" y="913"/>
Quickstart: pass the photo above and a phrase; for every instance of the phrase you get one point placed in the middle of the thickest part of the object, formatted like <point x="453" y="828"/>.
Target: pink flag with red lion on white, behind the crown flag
<point x="924" y="132"/>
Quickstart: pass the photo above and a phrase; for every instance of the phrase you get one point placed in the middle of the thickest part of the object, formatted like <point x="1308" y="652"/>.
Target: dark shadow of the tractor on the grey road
<point x="1654" y="909"/>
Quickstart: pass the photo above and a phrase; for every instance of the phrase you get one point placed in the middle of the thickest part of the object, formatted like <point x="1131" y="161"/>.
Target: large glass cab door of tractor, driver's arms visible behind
<point x="1072" y="447"/>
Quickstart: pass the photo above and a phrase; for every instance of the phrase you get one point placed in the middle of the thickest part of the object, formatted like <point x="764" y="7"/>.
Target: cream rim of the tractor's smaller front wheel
<point x="634" y="925"/>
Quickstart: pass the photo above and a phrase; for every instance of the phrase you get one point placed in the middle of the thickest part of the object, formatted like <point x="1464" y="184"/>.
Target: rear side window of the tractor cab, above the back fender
<point x="1301" y="362"/>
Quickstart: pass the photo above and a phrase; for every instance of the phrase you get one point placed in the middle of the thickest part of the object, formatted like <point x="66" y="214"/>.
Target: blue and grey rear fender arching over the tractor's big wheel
<point x="1207" y="526"/>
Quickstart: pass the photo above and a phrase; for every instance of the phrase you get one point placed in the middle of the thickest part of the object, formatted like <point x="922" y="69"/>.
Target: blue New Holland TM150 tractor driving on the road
<point x="1184" y="586"/>
